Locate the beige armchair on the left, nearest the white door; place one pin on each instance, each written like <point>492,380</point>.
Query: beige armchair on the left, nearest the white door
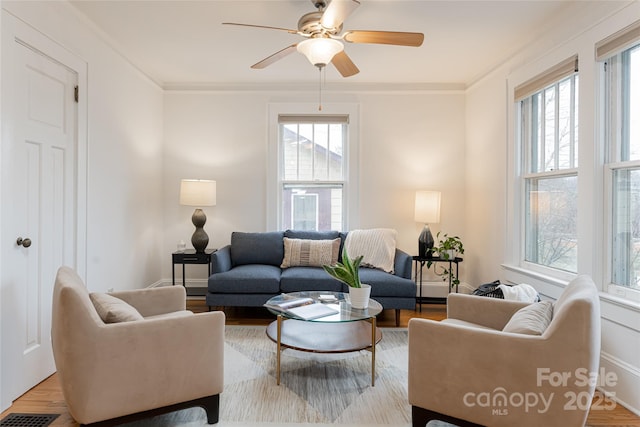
<point>117,372</point>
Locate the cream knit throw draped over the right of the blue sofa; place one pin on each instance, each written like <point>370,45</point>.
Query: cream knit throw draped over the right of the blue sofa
<point>377,246</point>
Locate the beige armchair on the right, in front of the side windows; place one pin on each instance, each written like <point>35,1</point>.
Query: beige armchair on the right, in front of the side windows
<point>468,371</point>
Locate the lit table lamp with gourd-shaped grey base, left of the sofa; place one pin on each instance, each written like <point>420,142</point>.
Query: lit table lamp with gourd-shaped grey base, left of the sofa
<point>198,193</point>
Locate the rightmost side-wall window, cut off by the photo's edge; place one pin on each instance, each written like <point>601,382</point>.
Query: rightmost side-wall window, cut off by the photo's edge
<point>621,57</point>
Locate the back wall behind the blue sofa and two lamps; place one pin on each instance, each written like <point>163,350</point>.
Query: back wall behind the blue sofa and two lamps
<point>408,141</point>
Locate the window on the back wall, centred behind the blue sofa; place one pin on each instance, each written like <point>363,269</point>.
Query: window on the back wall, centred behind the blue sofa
<point>312,171</point>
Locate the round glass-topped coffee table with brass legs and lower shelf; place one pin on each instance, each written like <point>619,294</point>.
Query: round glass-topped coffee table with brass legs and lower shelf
<point>347,329</point>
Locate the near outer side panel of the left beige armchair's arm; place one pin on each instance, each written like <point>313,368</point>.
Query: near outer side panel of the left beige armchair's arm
<point>171,359</point>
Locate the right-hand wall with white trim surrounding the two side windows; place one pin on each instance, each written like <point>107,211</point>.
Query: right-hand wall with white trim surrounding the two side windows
<point>490,149</point>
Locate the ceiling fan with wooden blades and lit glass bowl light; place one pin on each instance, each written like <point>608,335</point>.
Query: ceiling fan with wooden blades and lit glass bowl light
<point>323,37</point>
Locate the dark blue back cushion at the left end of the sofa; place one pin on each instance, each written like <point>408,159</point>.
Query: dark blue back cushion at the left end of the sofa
<point>257,248</point>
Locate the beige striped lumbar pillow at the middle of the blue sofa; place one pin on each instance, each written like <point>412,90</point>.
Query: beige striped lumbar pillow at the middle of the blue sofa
<point>310,253</point>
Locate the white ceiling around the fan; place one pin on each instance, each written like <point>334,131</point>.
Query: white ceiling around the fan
<point>180,42</point>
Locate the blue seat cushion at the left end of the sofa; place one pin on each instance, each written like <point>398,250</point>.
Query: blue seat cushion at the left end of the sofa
<point>246,279</point>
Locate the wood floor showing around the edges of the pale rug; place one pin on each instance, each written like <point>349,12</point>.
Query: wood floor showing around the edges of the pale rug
<point>46,397</point>
